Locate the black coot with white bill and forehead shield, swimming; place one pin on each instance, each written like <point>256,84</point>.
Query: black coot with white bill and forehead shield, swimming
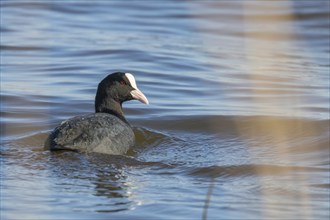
<point>106,130</point>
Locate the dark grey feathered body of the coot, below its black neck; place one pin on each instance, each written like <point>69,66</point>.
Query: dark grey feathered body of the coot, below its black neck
<point>98,132</point>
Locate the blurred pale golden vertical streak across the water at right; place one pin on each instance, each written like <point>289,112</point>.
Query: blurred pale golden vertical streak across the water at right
<point>262,56</point>
